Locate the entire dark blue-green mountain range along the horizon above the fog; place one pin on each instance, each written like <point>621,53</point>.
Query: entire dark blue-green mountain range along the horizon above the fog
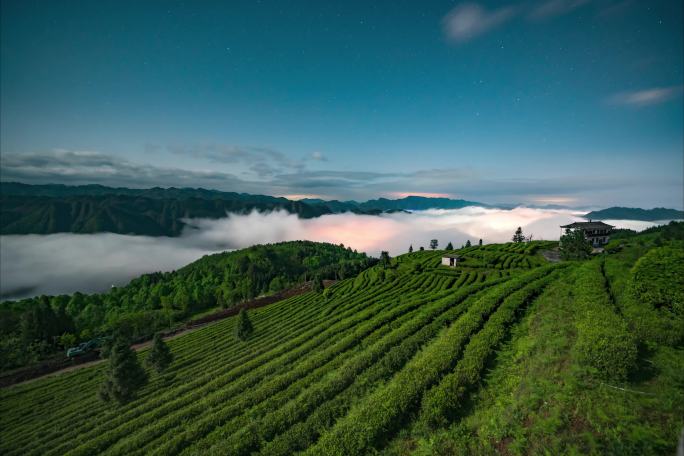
<point>57,208</point>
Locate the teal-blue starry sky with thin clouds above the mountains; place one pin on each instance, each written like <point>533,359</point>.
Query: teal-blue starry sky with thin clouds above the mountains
<point>576,102</point>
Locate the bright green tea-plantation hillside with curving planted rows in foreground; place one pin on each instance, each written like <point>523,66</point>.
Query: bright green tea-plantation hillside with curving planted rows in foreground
<point>501,354</point>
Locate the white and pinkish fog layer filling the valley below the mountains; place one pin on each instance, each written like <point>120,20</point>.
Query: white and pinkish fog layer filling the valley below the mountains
<point>65,263</point>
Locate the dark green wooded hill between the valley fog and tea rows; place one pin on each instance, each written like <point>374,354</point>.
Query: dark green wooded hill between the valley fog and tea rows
<point>31,329</point>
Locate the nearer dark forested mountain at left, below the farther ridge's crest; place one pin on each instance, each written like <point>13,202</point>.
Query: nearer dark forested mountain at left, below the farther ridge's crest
<point>158,215</point>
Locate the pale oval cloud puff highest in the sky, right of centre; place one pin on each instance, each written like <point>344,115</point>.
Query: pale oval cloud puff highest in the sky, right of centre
<point>468,20</point>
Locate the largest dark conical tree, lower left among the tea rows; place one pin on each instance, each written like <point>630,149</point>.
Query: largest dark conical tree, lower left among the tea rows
<point>125,375</point>
